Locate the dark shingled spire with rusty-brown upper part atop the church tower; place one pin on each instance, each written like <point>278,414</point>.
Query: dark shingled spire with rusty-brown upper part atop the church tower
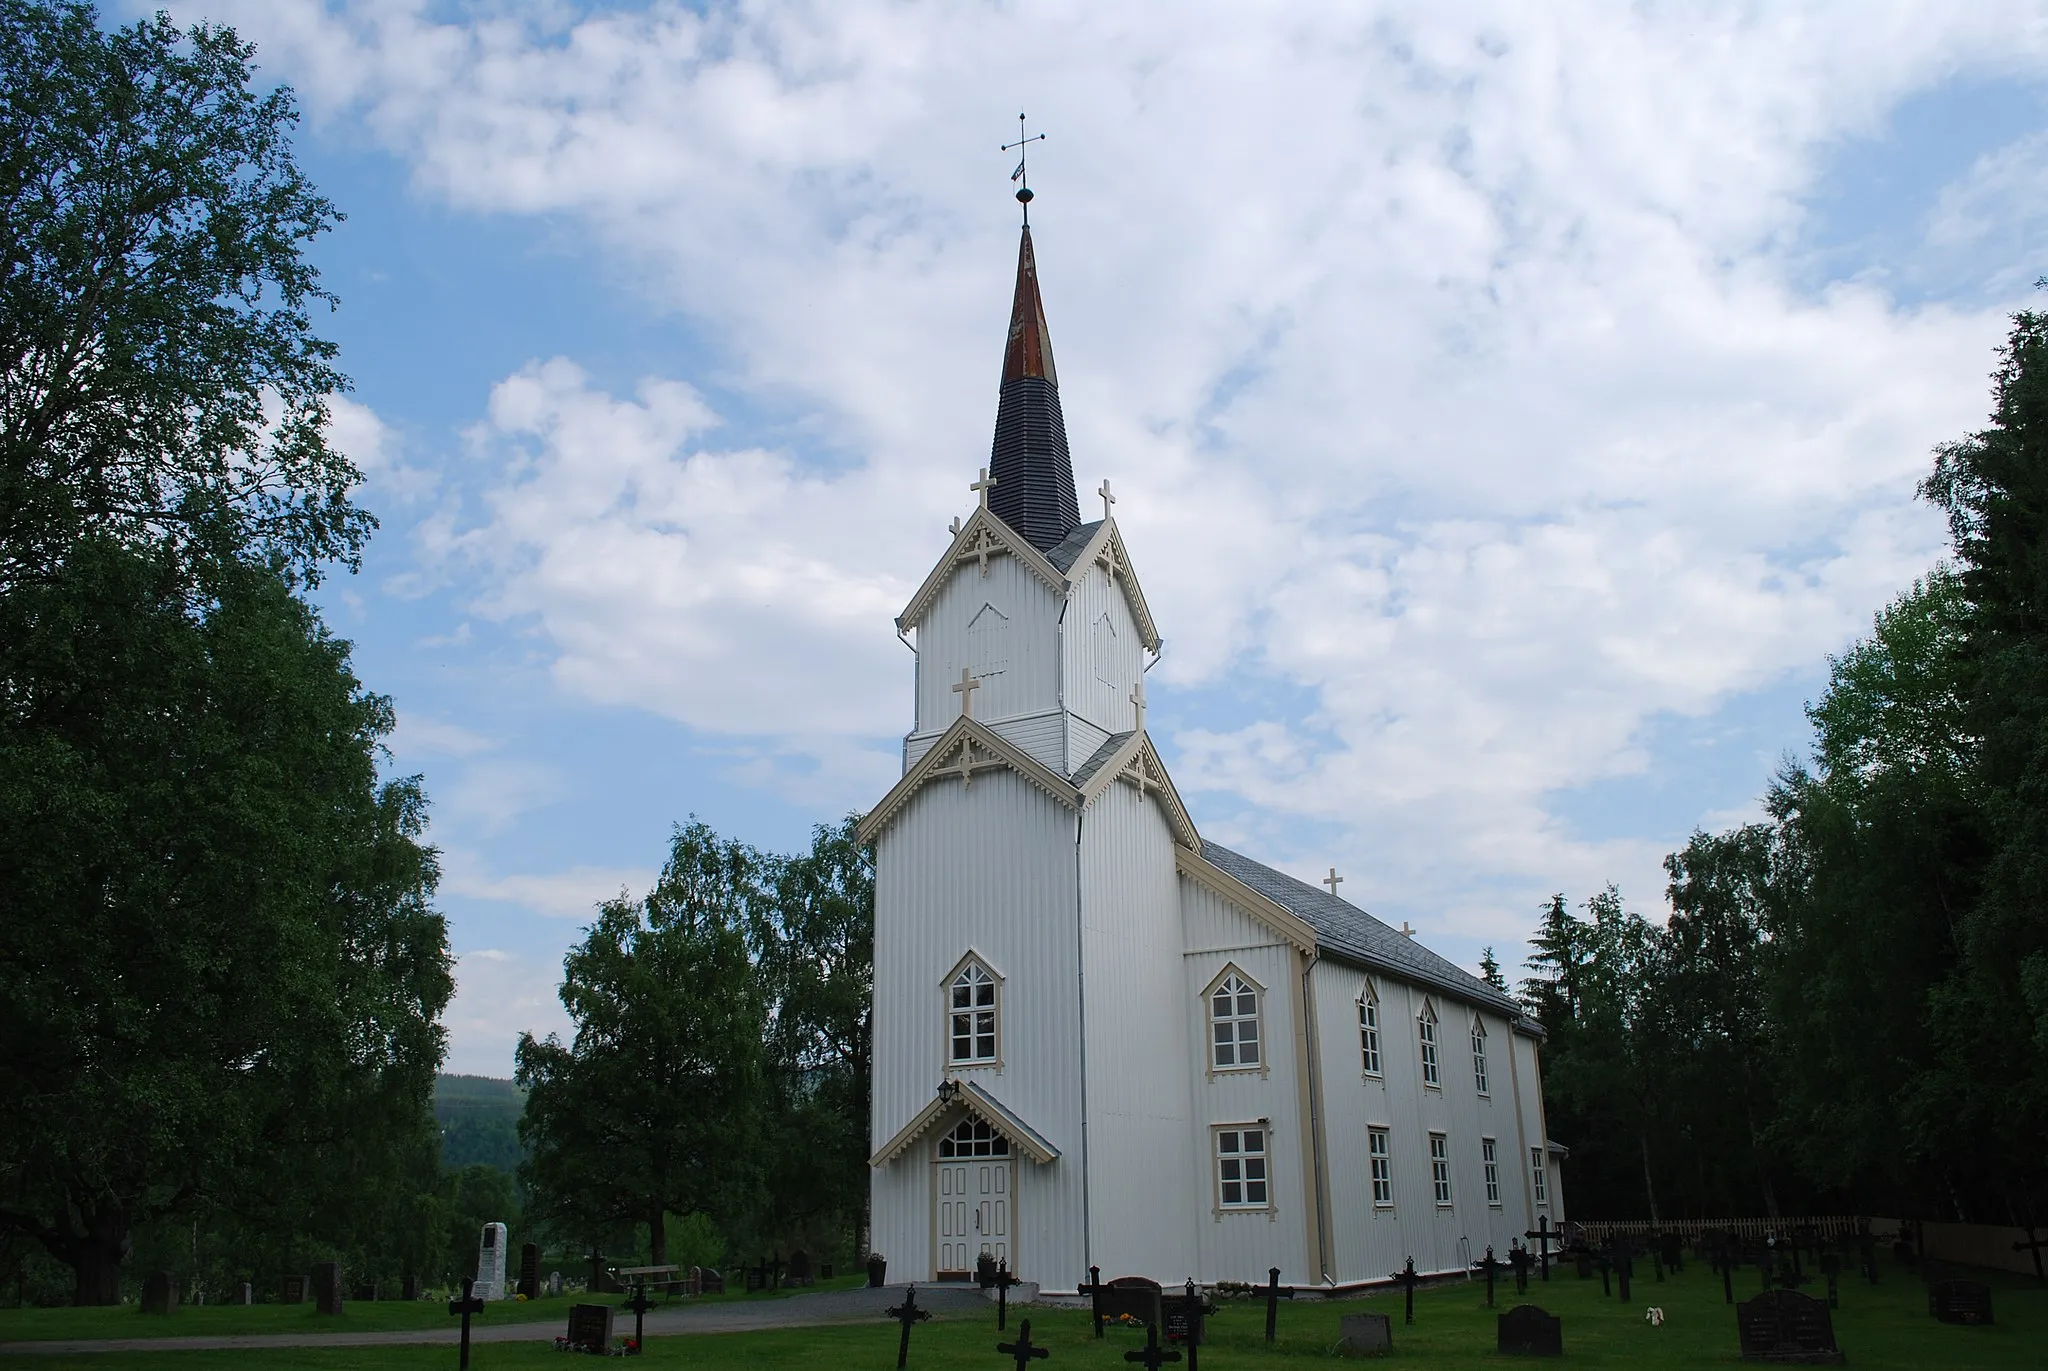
<point>1029,460</point>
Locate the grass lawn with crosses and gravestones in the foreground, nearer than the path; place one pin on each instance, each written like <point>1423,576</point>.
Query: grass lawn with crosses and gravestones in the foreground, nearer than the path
<point>1877,1327</point>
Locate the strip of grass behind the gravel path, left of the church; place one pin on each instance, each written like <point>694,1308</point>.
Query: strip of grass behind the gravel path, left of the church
<point>357,1317</point>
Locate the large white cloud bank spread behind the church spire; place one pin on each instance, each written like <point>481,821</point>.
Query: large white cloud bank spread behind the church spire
<point>1445,360</point>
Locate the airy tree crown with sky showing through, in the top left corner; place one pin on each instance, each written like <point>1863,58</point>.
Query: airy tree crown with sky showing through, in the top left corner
<point>163,382</point>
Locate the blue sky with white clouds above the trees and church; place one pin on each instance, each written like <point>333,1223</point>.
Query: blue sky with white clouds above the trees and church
<point>1510,407</point>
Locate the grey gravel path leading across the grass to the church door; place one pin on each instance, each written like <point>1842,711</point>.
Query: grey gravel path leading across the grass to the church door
<point>855,1306</point>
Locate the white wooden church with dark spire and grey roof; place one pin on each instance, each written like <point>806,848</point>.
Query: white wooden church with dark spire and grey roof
<point>1103,1040</point>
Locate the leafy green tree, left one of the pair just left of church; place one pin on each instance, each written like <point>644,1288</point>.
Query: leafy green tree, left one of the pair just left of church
<point>654,1108</point>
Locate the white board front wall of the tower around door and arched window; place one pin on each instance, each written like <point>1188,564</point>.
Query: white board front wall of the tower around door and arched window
<point>990,870</point>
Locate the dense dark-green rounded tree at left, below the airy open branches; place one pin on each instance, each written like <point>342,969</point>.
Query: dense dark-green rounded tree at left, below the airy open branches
<point>214,915</point>
